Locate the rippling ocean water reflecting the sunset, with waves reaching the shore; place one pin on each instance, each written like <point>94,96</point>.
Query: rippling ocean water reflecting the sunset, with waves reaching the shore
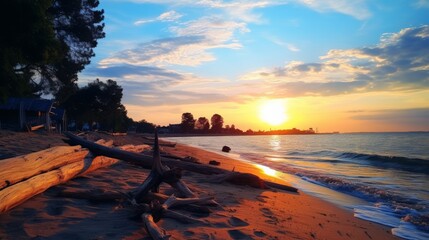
<point>381,177</point>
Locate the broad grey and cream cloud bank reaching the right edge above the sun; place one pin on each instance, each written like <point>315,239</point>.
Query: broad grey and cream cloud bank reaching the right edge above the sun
<point>400,62</point>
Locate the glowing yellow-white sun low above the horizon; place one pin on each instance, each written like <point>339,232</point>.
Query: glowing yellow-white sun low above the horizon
<point>273,112</point>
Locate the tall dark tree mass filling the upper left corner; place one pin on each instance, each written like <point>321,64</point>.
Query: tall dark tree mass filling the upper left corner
<point>44,44</point>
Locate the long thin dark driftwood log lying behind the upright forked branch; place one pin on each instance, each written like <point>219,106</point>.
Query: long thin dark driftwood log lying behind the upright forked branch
<point>147,162</point>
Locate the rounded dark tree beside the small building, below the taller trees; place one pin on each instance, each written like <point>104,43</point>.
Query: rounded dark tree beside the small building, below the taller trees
<point>99,102</point>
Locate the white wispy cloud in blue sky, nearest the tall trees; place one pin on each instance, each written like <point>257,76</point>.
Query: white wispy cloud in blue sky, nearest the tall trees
<point>190,46</point>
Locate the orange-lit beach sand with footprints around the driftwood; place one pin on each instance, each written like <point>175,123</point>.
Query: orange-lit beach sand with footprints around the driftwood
<point>244,212</point>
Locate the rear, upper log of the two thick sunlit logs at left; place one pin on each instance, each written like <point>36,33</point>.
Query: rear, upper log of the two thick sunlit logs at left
<point>19,168</point>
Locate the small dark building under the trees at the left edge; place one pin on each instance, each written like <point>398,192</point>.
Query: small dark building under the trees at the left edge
<point>30,114</point>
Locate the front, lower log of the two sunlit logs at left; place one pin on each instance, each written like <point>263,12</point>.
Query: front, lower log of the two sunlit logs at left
<point>18,193</point>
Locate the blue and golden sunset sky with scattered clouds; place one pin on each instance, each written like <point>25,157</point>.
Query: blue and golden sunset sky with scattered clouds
<point>334,65</point>
